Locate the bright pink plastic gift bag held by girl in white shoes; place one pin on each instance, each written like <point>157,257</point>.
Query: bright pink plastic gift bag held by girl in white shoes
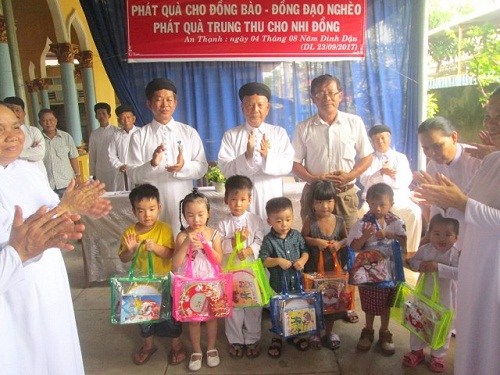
<point>199,299</point>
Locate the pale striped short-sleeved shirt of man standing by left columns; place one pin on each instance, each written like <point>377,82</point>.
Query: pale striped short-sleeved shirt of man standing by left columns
<point>58,152</point>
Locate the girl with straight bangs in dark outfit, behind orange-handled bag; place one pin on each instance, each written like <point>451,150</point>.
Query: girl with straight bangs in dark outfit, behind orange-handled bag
<point>324,231</point>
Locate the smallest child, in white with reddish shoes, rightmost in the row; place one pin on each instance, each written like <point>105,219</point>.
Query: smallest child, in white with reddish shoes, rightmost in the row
<point>441,256</point>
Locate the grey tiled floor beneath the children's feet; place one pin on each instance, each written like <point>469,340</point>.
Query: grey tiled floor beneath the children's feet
<point>106,348</point>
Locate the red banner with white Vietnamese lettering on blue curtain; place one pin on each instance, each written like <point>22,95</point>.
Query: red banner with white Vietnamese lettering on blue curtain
<point>276,30</point>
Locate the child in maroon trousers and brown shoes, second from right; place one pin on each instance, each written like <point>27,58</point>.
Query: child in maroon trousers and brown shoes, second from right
<point>377,230</point>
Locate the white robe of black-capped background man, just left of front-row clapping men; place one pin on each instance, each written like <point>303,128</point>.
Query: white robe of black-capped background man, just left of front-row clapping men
<point>118,154</point>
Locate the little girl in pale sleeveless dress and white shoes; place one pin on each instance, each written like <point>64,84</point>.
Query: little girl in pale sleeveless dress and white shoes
<point>195,208</point>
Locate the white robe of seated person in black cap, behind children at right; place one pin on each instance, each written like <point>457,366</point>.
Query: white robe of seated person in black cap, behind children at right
<point>400,184</point>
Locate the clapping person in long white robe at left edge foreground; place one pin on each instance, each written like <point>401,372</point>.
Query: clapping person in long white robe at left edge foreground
<point>37,322</point>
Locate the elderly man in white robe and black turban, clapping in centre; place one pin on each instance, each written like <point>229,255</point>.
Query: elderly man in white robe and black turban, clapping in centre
<point>257,149</point>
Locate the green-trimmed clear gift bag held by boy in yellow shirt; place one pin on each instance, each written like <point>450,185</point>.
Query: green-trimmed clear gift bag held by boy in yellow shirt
<point>140,299</point>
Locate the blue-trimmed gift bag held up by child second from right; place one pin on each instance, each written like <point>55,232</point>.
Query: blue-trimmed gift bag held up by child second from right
<point>369,267</point>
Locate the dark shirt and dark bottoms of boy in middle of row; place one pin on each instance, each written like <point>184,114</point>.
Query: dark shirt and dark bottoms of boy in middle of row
<point>292,247</point>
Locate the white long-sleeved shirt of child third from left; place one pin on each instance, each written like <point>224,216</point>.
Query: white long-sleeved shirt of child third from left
<point>256,232</point>
